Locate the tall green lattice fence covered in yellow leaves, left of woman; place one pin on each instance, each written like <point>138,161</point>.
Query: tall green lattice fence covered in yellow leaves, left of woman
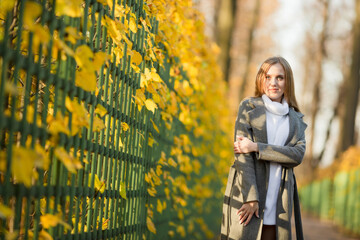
<point>82,144</point>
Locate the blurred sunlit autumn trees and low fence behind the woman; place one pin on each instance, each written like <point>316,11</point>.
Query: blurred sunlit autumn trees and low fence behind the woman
<point>321,40</point>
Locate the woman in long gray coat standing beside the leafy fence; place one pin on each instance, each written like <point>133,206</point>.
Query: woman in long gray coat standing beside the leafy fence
<point>269,143</point>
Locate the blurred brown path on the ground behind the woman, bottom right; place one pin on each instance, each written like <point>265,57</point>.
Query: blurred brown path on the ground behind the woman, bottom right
<point>315,229</point>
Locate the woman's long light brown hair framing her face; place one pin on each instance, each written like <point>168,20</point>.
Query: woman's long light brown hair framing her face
<point>289,92</point>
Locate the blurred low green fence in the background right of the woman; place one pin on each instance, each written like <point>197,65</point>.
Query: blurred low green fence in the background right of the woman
<point>335,199</point>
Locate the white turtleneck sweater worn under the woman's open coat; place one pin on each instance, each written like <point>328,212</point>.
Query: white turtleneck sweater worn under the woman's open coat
<point>277,125</point>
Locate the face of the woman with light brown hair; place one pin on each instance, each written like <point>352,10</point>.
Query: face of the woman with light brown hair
<point>274,82</point>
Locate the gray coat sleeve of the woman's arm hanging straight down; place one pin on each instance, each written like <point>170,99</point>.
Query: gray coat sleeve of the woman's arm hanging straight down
<point>244,163</point>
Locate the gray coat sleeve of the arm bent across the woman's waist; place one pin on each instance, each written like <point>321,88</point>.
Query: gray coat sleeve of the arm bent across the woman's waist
<point>287,156</point>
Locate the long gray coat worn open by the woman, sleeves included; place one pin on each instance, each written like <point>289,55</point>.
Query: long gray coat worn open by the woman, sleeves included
<point>248,177</point>
